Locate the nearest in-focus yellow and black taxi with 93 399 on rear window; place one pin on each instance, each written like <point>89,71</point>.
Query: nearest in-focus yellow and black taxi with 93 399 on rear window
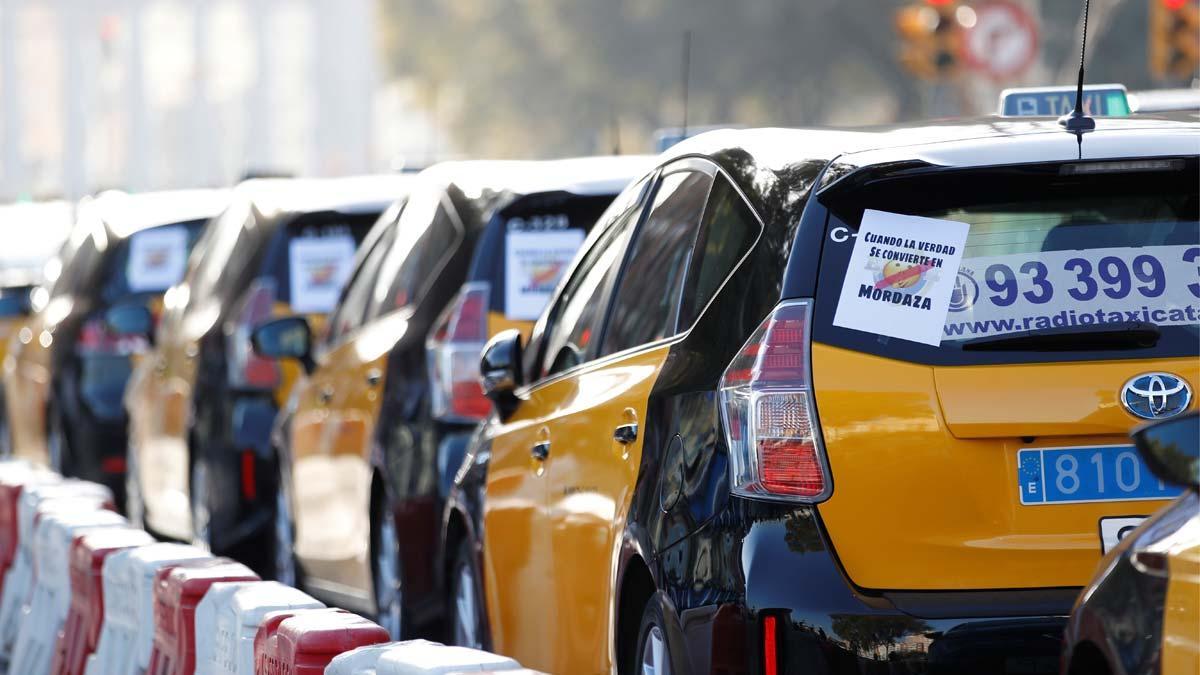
<point>823,402</point>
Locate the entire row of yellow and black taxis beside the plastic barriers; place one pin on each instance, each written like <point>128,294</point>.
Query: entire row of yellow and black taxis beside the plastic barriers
<point>775,402</point>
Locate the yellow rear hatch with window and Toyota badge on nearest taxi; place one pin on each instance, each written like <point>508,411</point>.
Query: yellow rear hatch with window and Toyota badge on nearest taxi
<point>993,458</point>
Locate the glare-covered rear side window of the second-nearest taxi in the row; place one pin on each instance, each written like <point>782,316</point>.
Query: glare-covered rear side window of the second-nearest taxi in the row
<point>429,234</point>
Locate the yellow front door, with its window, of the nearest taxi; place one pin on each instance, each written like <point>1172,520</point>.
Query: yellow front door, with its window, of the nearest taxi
<point>524,575</point>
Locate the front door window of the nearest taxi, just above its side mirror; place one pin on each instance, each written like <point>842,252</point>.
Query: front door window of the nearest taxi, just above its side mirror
<point>579,310</point>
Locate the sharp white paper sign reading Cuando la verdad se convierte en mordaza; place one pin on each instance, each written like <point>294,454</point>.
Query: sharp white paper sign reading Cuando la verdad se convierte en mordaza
<point>902,276</point>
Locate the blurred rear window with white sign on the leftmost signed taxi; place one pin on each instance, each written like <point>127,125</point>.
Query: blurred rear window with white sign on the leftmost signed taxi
<point>151,261</point>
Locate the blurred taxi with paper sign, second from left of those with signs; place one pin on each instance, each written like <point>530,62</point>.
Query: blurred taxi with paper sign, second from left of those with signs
<point>201,404</point>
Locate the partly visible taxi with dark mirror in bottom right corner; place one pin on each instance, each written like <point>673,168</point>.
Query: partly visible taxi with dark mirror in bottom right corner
<point>1142,612</point>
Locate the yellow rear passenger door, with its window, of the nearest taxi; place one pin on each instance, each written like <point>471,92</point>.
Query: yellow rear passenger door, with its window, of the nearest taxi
<point>598,428</point>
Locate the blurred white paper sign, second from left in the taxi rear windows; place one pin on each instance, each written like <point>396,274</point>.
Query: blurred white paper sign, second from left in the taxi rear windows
<point>319,266</point>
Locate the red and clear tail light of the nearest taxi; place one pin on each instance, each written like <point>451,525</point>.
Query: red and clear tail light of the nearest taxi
<point>770,420</point>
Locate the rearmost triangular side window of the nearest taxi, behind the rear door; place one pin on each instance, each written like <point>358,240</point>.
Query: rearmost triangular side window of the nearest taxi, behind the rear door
<point>727,234</point>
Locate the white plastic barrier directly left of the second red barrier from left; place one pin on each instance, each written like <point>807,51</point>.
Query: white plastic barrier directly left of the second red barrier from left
<point>40,626</point>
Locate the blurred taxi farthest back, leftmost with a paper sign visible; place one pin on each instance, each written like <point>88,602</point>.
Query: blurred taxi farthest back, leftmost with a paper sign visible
<point>68,371</point>
